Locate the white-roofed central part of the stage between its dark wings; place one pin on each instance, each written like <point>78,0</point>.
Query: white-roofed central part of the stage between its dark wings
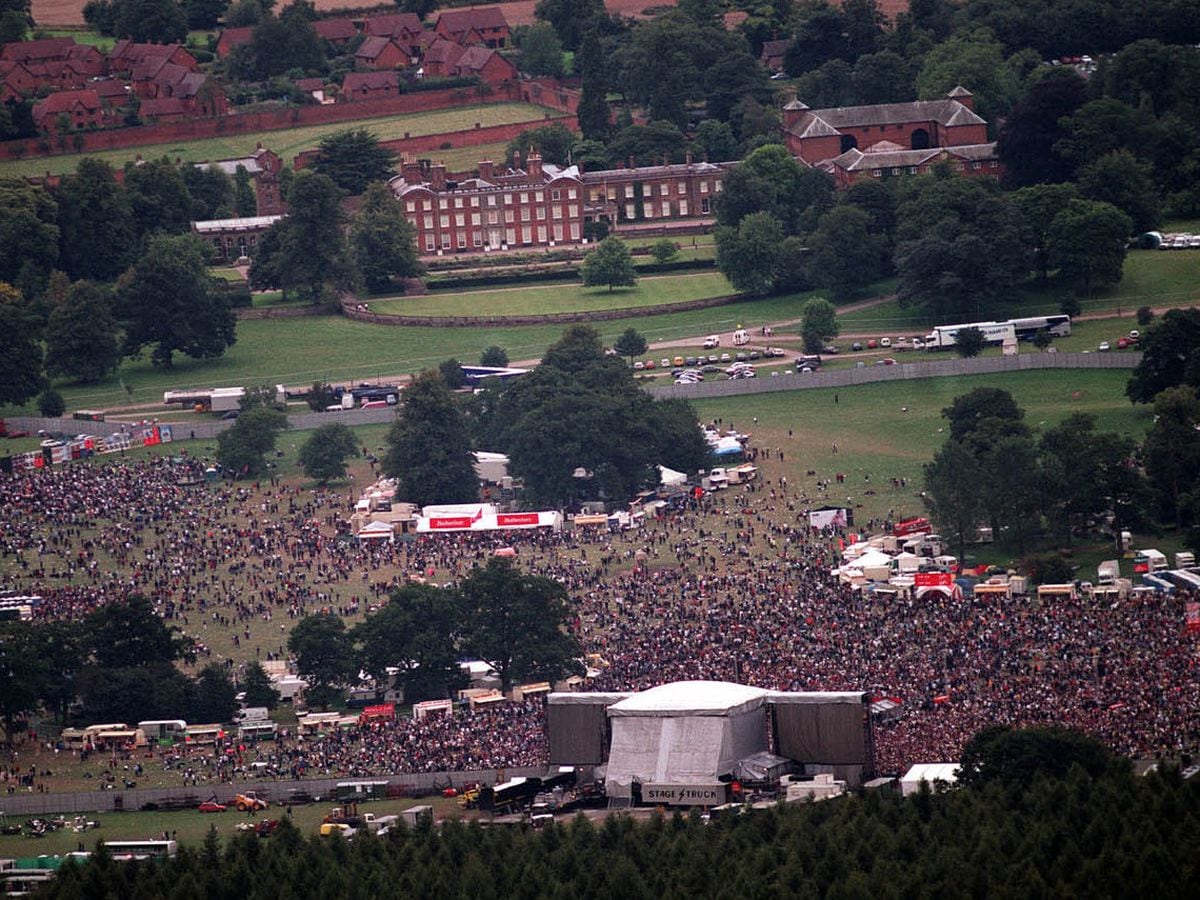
<point>683,734</point>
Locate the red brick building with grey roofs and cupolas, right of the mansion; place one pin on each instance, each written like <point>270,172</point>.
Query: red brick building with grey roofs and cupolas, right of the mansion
<point>891,139</point>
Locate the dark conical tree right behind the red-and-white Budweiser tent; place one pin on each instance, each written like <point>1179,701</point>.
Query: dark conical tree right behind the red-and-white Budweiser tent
<point>429,447</point>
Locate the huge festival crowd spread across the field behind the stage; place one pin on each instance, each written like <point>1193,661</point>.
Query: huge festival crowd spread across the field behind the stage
<point>729,587</point>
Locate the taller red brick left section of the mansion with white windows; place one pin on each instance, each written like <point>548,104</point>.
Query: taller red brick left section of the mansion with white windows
<point>533,207</point>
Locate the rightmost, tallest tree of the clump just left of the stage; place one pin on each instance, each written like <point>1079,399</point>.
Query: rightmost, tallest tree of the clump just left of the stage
<point>518,623</point>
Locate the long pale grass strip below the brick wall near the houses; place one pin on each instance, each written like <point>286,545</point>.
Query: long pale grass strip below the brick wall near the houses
<point>289,142</point>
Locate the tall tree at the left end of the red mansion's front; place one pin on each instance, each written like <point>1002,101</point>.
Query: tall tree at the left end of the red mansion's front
<point>383,242</point>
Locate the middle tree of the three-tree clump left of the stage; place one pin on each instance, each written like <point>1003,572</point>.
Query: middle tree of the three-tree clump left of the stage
<point>418,633</point>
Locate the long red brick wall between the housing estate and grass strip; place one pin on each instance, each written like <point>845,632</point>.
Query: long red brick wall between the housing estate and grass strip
<point>271,121</point>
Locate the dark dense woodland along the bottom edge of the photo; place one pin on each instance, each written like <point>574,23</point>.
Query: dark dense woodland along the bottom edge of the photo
<point>1045,814</point>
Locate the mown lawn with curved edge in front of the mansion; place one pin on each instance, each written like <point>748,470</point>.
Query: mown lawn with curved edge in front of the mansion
<point>650,291</point>
